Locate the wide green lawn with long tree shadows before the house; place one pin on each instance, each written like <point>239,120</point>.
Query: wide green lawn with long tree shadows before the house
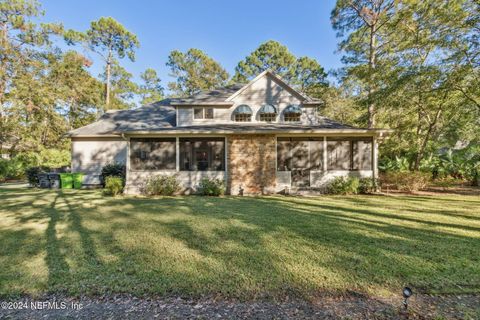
<point>80,242</point>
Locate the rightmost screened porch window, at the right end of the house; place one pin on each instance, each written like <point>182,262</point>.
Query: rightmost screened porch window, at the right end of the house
<point>349,154</point>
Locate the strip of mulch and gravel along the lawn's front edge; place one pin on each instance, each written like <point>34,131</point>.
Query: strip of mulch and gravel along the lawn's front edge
<point>351,307</point>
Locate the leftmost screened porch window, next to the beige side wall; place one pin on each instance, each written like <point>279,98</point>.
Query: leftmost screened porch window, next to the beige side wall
<point>153,154</point>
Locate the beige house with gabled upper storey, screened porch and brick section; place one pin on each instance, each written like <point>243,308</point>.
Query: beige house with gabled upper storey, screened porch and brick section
<point>259,138</point>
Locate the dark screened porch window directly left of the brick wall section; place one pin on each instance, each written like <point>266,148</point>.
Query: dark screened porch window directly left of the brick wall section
<point>202,154</point>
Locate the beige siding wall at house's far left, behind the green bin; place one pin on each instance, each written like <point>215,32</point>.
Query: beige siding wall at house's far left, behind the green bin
<point>90,155</point>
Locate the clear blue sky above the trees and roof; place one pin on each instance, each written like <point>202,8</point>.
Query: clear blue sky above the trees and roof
<point>227,30</point>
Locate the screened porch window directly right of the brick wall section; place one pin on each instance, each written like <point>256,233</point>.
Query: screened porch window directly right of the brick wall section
<point>299,153</point>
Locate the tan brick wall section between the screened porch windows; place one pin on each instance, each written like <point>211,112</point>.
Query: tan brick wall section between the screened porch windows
<point>251,164</point>
